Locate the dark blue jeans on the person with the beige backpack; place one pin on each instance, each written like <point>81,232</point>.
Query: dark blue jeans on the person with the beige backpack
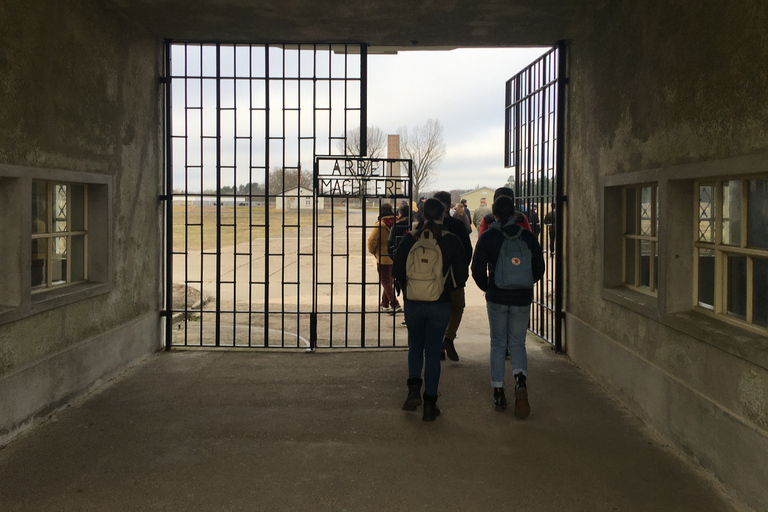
<point>426,323</point>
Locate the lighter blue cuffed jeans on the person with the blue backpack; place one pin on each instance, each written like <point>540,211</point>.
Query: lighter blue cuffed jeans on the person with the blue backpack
<point>509,325</point>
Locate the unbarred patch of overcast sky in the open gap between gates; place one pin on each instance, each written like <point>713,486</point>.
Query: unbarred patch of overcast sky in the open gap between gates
<point>464,90</point>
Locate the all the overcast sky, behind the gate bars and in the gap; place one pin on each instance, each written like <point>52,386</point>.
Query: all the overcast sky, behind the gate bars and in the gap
<point>462,89</point>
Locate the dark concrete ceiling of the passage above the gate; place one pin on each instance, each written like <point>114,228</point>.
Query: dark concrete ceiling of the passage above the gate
<point>391,24</point>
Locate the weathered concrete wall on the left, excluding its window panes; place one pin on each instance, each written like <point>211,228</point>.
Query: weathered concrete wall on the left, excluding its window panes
<point>79,96</point>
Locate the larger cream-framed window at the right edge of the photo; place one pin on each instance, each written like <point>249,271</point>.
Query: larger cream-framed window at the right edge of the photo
<point>731,249</point>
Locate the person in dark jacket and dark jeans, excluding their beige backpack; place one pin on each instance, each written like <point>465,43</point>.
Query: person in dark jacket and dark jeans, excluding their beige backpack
<point>427,320</point>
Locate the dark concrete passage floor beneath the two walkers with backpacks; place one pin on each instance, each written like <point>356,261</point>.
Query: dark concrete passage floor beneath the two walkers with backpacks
<point>202,430</point>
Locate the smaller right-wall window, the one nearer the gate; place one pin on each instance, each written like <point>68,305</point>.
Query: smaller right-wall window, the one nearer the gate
<point>640,243</point>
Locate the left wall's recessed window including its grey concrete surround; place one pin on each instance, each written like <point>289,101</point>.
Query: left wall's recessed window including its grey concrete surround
<point>56,243</point>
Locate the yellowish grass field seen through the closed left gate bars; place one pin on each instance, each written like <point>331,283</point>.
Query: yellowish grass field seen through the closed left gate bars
<point>195,227</point>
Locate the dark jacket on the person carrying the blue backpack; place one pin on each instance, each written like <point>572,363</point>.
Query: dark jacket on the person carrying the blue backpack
<point>484,260</point>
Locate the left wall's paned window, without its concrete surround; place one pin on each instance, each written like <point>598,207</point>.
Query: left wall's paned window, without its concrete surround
<point>59,234</point>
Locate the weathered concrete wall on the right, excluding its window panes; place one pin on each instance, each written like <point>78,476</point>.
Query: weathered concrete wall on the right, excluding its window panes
<point>667,92</point>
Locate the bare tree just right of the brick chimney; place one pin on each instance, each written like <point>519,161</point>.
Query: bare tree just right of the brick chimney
<point>426,147</point>
